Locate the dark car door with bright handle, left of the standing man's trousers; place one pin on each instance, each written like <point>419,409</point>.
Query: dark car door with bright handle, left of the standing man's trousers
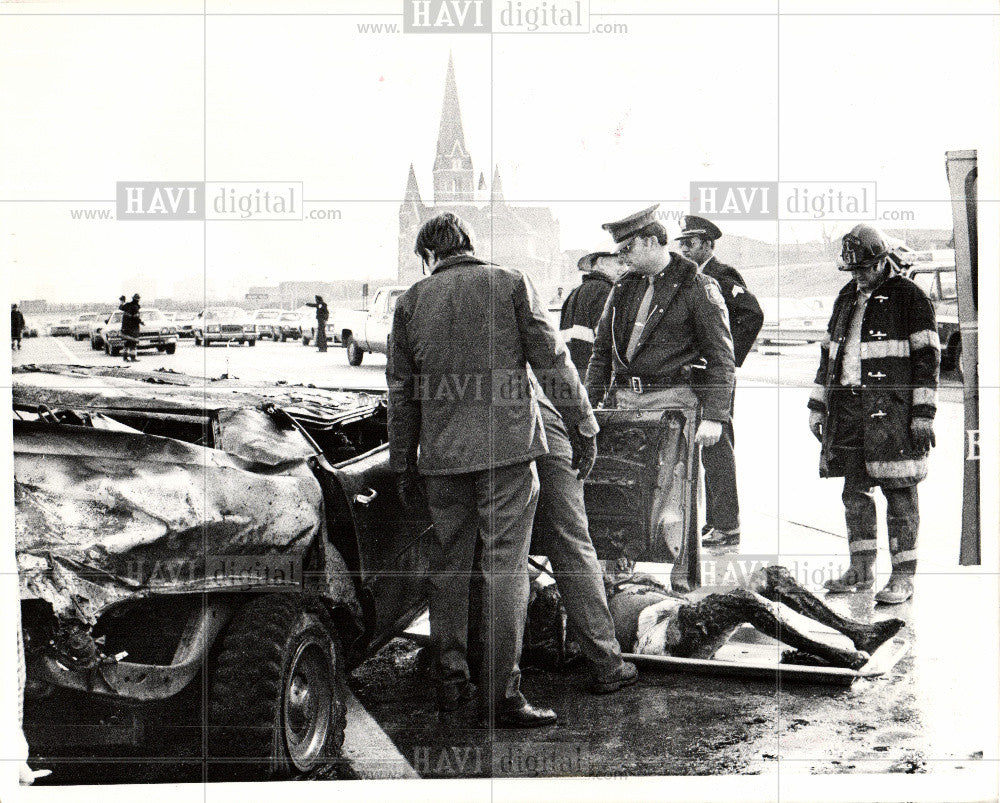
<point>391,543</point>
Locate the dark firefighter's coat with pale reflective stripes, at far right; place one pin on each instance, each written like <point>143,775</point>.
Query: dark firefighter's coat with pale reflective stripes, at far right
<point>900,359</point>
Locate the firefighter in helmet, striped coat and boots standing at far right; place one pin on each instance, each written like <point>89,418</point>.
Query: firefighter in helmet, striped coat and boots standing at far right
<point>873,406</point>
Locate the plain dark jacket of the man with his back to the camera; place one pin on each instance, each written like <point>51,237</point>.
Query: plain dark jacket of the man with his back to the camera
<point>461,341</point>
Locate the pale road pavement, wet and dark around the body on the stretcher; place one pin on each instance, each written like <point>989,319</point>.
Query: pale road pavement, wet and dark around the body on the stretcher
<point>934,713</point>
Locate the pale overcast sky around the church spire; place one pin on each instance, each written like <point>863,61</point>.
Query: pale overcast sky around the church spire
<point>593,125</point>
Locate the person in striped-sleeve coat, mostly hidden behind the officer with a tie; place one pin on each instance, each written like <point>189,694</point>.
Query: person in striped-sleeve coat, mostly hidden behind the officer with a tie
<point>583,306</point>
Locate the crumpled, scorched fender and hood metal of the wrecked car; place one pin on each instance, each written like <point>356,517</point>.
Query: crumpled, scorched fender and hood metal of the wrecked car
<point>105,512</point>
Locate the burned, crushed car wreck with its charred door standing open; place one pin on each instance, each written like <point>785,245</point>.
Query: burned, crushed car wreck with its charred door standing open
<point>158,515</point>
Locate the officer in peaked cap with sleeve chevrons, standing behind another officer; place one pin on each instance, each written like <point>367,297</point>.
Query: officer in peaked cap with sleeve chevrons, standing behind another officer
<point>722,506</point>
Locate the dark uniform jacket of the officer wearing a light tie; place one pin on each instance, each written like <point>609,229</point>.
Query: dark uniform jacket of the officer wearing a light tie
<point>688,324</point>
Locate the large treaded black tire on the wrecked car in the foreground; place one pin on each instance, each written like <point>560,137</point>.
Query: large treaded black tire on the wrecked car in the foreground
<point>277,695</point>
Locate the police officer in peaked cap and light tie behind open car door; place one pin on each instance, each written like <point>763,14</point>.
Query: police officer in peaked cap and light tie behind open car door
<point>663,340</point>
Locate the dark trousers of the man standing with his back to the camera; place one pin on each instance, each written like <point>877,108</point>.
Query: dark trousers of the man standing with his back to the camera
<point>496,506</point>
